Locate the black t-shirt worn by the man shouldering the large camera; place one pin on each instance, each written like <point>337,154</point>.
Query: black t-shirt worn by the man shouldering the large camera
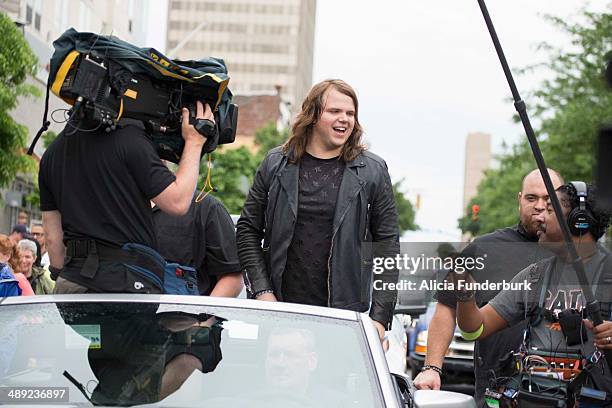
<point>101,183</point>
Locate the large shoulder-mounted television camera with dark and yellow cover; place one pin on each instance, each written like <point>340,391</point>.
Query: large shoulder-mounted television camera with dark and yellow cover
<point>106,80</point>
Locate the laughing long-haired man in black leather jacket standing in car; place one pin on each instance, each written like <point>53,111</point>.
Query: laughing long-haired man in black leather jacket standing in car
<point>323,206</point>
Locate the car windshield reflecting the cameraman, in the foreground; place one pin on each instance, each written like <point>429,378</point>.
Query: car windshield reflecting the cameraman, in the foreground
<point>128,353</point>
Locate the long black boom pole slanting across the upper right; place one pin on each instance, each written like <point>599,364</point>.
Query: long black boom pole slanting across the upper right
<point>592,305</point>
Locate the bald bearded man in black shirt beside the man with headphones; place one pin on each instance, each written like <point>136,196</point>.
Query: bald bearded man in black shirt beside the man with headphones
<point>508,251</point>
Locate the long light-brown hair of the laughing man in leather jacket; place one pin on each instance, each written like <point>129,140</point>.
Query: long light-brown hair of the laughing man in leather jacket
<point>312,108</point>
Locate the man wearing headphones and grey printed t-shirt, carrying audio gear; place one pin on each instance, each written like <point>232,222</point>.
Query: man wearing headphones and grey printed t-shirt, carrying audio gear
<point>554,291</point>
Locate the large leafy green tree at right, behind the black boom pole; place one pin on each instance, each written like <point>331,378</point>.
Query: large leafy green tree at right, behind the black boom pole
<point>570,107</point>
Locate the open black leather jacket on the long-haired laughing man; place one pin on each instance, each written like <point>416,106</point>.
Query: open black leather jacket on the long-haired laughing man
<point>365,225</point>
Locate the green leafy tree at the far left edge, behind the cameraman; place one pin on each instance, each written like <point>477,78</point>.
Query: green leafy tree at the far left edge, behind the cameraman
<point>16,62</point>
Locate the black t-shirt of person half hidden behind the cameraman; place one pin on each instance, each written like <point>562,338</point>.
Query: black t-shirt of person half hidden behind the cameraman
<point>203,238</point>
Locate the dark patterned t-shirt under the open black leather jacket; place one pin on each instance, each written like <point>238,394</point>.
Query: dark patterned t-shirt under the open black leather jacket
<point>306,271</point>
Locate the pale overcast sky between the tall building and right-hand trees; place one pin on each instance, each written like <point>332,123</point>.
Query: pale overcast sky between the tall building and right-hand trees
<point>426,74</point>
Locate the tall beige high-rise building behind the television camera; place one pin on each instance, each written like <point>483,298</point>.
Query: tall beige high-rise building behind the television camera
<point>266,44</point>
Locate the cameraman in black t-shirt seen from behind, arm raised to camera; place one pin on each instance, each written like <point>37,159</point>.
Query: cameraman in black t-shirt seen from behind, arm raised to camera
<point>95,190</point>
